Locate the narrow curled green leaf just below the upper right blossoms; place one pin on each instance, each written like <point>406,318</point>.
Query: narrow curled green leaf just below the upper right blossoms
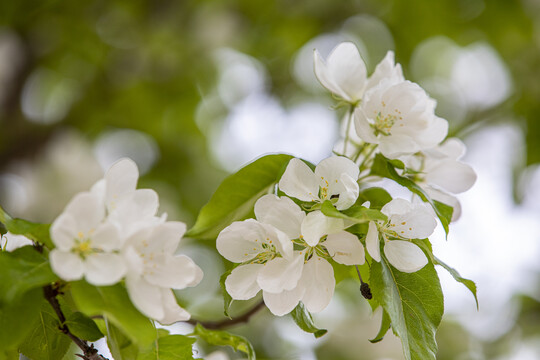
<point>383,167</point>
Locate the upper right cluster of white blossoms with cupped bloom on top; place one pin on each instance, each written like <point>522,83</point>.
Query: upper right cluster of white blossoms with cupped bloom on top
<point>397,118</point>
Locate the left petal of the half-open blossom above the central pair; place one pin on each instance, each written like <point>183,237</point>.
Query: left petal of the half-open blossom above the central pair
<point>299,181</point>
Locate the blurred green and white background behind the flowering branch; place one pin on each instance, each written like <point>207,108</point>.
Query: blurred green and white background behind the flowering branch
<point>191,90</point>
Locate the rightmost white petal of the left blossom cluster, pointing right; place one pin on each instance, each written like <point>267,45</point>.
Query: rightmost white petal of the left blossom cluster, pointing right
<point>175,272</point>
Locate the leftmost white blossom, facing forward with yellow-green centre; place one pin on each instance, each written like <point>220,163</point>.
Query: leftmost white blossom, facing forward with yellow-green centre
<point>86,245</point>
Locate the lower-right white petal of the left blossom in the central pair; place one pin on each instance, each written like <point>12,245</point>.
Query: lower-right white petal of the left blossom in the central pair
<point>281,274</point>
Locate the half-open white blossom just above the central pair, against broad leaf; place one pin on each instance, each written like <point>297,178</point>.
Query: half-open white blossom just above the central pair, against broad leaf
<point>333,177</point>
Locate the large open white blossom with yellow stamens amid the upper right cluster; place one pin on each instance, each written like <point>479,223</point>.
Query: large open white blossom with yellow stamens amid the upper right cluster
<point>400,118</point>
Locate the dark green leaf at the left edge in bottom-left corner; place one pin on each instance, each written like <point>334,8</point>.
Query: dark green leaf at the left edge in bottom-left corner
<point>17,319</point>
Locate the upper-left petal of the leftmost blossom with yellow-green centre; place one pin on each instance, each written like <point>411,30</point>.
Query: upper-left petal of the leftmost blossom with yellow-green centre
<point>87,211</point>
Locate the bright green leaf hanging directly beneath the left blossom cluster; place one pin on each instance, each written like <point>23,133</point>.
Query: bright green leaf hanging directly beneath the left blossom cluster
<point>114,303</point>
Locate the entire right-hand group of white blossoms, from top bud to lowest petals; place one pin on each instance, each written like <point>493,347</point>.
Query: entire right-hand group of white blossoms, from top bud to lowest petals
<point>288,249</point>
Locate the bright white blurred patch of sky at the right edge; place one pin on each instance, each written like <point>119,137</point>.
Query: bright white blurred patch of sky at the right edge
<point>495,243</point>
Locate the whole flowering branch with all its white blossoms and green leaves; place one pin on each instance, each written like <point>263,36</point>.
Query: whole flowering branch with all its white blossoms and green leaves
<point>285,228</point>
